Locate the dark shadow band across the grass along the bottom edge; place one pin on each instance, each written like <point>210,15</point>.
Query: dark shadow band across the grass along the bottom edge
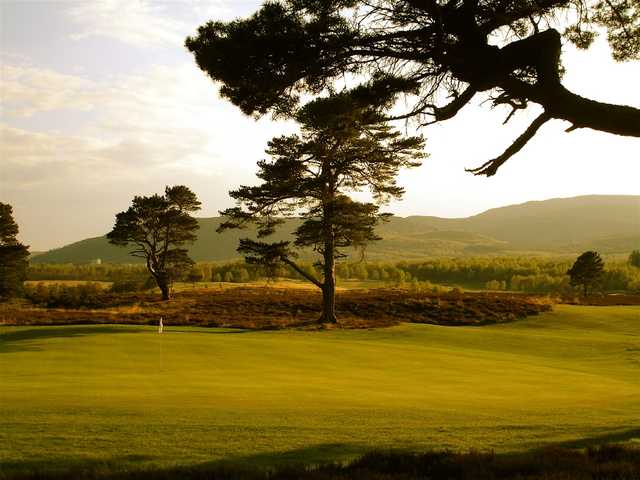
<point>354,462</point>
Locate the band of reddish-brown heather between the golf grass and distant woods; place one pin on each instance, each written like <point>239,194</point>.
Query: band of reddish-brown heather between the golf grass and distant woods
<point>271,307</point>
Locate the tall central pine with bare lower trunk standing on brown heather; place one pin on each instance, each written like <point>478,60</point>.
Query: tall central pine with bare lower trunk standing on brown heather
<point>344,146</point>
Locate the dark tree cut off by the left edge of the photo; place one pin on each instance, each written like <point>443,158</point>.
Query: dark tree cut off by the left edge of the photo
<point>13,255</point>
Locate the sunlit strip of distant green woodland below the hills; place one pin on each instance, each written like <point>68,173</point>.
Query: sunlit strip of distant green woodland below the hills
<point>523,274</point>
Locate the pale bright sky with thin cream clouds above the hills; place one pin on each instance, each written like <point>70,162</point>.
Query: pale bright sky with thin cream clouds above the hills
<point>100,101</point>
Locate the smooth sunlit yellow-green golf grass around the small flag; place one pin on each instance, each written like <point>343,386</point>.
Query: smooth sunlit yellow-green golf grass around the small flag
<point>127,395</point>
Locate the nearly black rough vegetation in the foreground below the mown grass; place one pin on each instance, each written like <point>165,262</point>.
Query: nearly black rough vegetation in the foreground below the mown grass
<point>608,462</point>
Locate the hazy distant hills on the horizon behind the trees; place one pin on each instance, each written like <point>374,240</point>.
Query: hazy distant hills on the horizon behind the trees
<point>610,224</point>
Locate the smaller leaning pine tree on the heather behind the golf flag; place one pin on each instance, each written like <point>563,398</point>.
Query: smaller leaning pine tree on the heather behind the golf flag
<point>158,226</point>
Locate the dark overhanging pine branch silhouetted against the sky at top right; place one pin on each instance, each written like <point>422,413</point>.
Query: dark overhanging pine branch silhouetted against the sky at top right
<point>444,51</point>
